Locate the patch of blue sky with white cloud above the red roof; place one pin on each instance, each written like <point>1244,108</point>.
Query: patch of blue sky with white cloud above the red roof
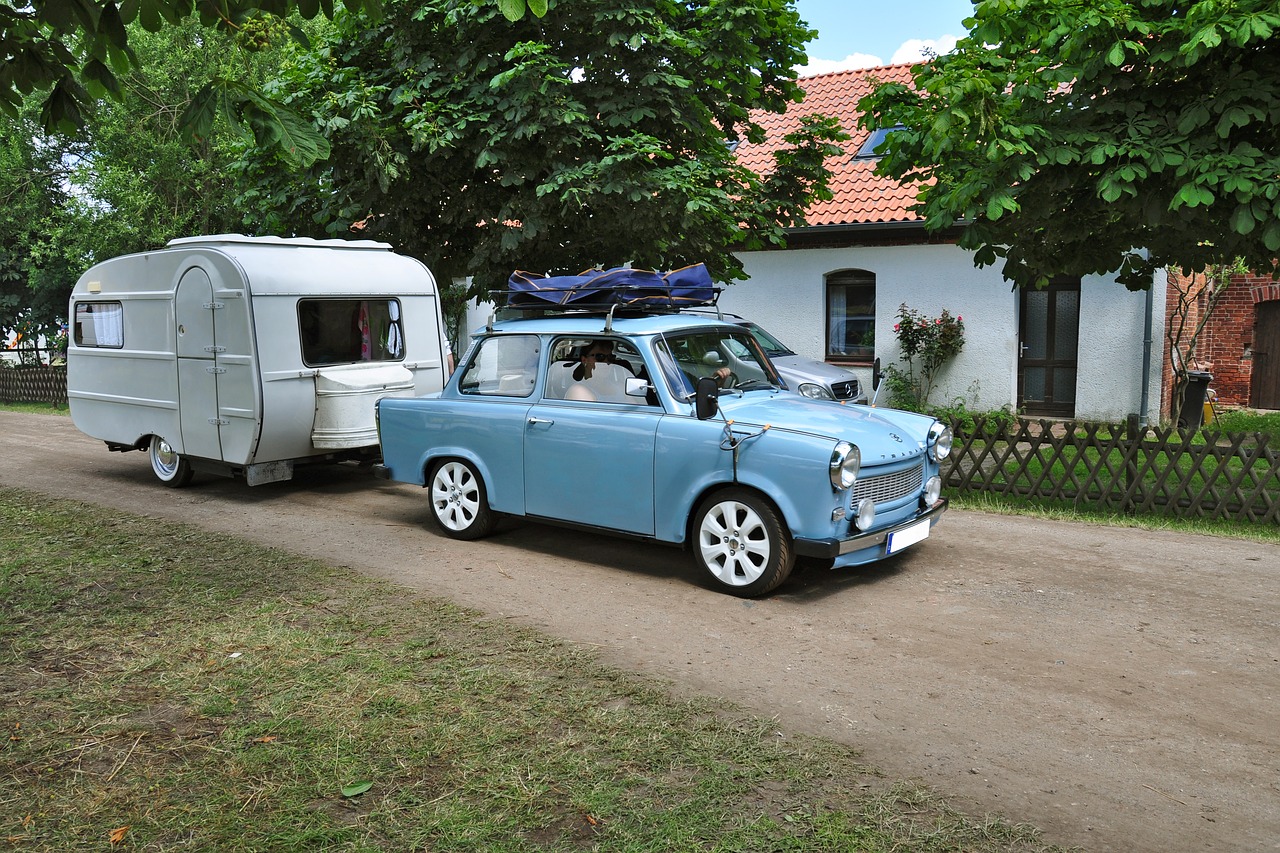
<point>865,34</point>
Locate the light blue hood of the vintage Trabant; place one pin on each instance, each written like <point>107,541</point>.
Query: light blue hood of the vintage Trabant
<point>881,435</point>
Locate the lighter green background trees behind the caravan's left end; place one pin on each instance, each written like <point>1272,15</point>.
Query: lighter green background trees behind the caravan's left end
<point>126,183</point>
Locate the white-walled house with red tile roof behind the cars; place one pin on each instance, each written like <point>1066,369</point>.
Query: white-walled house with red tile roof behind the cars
<point>1085,349</point>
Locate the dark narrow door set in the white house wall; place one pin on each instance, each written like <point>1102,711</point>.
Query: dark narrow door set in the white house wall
<point>1049,339</point>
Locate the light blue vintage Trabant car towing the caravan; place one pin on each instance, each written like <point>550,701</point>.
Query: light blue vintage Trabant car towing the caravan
<point>669,427</point>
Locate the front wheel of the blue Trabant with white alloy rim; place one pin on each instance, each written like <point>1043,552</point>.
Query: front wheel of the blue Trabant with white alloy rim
<point>742,544</point>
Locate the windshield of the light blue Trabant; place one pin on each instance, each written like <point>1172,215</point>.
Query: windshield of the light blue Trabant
<point>734,359</point>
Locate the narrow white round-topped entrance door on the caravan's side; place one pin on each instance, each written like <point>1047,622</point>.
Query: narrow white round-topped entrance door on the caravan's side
<point>217,394</point>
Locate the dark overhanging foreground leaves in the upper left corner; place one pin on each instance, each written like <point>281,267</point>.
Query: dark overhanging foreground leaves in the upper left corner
<point>74,52</point>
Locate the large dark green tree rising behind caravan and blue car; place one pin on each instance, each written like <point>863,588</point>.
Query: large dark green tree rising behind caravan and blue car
<point>597,135</point>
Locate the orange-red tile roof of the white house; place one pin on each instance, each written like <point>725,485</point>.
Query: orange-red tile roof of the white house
<point>860,197</point>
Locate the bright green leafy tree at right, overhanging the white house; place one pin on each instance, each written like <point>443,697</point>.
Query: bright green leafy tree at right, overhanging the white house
<point>1121,136</point>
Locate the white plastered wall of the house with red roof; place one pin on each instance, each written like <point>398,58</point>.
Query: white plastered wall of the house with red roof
<point>787,295</point>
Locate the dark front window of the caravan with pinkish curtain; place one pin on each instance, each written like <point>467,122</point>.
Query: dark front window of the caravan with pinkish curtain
<point>351,330</point>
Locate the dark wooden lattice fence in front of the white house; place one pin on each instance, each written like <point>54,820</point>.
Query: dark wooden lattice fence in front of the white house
<point>1123,468</point>
